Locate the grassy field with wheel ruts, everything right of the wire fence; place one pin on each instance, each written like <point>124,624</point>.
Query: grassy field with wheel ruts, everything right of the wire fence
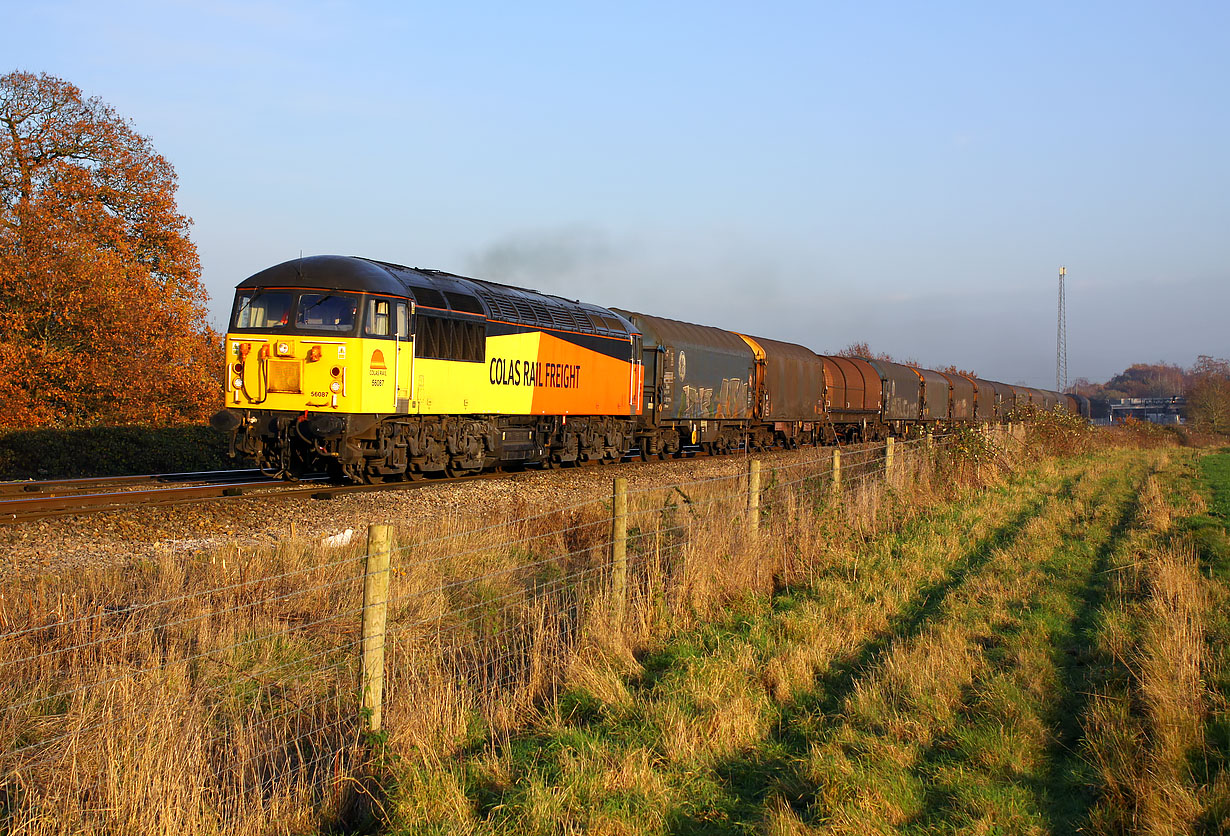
<point>1044,656</point>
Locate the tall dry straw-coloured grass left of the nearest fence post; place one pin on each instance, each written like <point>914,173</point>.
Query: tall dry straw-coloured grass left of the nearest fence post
<point>183,698</point>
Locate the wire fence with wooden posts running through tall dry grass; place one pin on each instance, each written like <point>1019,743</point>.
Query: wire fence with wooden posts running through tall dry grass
<point>254,695</point>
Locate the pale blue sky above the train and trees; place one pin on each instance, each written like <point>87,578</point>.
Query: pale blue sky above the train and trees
<point>908,175</point>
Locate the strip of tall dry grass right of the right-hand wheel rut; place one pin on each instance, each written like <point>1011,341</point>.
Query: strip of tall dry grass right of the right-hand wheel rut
<point>1148,722</point>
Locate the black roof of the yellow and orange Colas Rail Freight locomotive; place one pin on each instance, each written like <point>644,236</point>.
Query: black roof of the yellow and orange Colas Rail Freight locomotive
<point>443,291</point>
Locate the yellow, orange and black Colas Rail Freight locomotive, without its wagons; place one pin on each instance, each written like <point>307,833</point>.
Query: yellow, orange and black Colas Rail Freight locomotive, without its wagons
<point>375,372</point>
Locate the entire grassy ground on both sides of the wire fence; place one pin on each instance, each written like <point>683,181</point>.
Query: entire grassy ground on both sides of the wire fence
<point>997,636</point>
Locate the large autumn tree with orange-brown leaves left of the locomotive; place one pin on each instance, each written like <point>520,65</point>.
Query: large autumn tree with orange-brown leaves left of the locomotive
<point>103,312</point>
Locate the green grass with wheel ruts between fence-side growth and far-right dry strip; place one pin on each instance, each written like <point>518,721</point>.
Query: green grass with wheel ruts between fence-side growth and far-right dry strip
<point>938,685</point>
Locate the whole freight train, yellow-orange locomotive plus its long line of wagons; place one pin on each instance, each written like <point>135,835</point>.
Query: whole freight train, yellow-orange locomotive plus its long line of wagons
<point>375,372</point>
